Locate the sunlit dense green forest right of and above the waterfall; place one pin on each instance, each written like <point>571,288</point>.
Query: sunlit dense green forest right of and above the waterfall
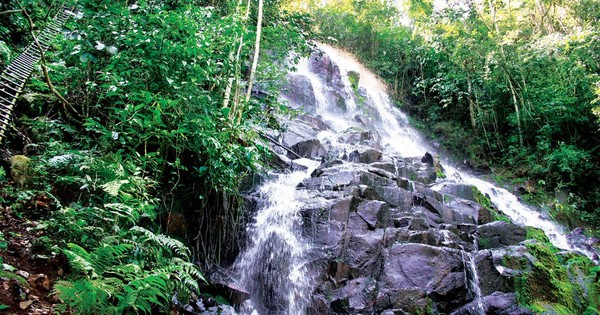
<point>510,84</point>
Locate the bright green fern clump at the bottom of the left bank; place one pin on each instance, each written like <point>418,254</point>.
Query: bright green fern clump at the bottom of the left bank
<point>128,273</point>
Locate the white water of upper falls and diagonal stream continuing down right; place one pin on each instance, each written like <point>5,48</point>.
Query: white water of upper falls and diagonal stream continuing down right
<point>399,138</point>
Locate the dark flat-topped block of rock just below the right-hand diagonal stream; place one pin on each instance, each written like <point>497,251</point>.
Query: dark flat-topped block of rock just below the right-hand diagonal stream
<point>499,233</point>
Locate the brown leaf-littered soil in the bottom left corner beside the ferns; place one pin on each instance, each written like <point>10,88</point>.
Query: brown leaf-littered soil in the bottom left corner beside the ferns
<point>28,271</point>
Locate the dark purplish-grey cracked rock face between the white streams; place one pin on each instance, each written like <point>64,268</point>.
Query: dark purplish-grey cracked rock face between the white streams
<point>382,240</point>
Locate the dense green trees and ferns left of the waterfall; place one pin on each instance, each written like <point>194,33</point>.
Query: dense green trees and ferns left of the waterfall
<point>155,134</point>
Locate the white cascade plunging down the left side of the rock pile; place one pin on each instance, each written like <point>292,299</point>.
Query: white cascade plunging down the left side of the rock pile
<point>273,268</point>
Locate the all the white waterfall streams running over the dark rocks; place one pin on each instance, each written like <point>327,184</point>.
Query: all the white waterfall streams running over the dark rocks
<point>273,267</point>
